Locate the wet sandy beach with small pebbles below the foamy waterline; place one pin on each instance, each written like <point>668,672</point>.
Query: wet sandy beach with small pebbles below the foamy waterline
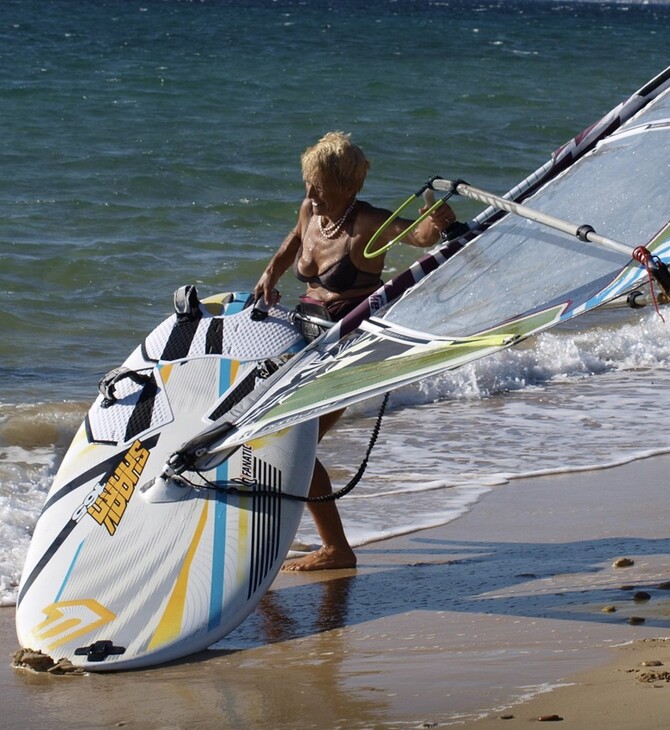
<point>514,612</point>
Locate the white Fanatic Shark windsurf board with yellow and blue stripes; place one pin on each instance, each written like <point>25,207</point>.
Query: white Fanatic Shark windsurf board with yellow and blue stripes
<point>126,570</point>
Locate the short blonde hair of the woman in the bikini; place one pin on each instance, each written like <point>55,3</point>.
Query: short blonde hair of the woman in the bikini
<point>336,162</point>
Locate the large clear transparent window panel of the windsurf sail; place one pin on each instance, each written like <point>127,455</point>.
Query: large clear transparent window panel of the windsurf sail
<point>517,265</point>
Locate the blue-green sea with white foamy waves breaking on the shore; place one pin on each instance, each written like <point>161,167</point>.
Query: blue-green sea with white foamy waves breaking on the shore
<point>148,144</point>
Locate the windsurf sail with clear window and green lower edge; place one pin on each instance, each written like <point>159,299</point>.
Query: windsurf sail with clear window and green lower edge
<point>513,278</point>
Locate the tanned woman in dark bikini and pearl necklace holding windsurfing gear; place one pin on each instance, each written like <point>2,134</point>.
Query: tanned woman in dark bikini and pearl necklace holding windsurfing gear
<point>325,250</point>
